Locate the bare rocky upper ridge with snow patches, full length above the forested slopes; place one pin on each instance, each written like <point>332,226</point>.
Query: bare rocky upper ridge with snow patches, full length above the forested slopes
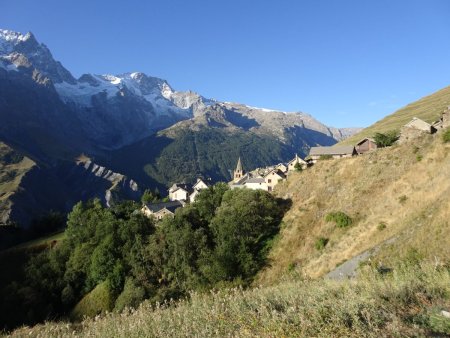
<point>116,110</point>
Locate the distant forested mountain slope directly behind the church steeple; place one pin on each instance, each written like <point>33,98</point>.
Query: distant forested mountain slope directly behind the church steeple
<point>159,161</point>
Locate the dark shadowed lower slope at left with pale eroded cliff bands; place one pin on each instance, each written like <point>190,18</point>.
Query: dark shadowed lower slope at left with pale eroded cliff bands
<point>41,189</point>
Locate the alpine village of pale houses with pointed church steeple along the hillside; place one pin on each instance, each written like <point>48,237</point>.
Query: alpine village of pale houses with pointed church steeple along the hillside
<point>267,178</point>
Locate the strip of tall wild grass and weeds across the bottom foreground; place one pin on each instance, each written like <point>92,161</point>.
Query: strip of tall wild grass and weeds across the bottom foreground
<point>405,303</point>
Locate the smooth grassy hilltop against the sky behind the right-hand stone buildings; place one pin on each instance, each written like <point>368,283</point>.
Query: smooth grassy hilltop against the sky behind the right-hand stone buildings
<point>428,109</point>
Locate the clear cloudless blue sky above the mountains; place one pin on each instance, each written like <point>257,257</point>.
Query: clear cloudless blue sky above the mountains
<point>347,62</point>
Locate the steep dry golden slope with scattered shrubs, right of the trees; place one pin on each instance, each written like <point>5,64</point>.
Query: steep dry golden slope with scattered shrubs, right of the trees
<point>406,188</point>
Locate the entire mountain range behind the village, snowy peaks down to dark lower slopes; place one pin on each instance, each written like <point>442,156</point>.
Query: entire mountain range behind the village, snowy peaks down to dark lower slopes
<point>64,139</point>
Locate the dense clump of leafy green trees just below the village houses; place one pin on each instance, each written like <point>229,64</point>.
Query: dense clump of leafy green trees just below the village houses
<point>112,258</point>
